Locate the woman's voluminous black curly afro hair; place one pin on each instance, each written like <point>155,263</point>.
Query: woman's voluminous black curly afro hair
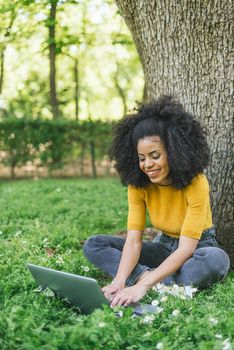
<point>183,138</point>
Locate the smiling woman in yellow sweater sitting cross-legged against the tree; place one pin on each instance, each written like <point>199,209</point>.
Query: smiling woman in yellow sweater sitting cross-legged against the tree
<point>160,153</point>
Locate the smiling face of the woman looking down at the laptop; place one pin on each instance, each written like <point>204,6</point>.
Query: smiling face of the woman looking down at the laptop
<point>153,160</point>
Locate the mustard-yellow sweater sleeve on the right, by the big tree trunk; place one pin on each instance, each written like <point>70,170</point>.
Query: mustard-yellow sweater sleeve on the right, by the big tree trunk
<point>197,197</point>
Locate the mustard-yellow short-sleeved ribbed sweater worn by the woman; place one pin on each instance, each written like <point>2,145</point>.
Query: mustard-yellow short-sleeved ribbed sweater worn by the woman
<point>175,212</point>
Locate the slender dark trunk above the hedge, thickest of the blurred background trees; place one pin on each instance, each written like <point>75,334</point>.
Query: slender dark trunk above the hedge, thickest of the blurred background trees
<point>52,58</point>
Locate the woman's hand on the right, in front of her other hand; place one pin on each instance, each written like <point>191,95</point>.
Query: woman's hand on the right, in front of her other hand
<point>129,295</point>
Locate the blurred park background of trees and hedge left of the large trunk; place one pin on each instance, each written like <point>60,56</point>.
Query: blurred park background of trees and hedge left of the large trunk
<point>69,70</point>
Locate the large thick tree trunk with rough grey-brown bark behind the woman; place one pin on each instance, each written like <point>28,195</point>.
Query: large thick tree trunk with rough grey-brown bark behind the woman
<point>185,49</point>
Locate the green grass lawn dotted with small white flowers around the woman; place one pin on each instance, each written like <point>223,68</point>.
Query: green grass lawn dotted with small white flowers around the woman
<point>45,222</point>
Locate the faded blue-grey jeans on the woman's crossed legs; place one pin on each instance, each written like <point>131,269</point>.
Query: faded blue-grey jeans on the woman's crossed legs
<point>209,264</point>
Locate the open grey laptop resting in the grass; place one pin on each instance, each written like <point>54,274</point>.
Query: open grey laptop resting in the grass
<point>82,292</point>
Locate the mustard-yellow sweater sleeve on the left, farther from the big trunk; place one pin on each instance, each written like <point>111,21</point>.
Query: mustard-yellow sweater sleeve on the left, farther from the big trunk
<point>136,209</point>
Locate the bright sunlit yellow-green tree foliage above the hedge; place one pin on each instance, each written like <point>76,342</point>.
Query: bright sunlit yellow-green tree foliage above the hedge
<point>103,47</point>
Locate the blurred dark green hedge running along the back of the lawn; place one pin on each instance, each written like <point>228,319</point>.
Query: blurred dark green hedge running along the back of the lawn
<point>51,141</point>
